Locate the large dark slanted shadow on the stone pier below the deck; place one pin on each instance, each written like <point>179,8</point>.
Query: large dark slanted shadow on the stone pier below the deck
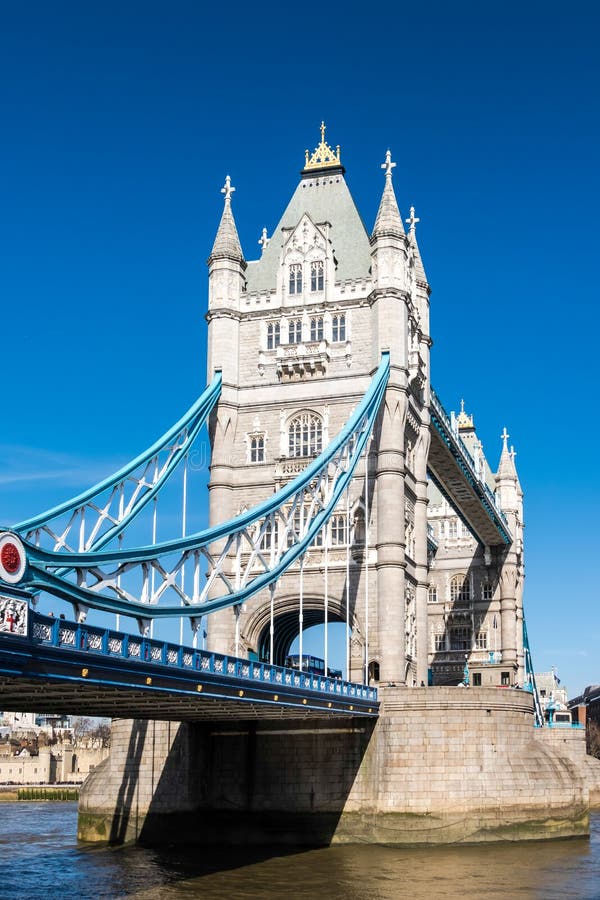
<point>268,783</point>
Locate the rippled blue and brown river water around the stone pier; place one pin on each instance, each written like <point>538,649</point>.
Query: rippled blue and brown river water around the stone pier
<point>40,858</point>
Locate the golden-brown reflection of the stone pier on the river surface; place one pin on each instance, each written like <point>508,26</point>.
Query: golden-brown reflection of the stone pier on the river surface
<point>561,869</point>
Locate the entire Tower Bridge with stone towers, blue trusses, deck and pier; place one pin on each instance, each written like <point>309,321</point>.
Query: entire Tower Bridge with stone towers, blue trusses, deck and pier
<point>340,491</point>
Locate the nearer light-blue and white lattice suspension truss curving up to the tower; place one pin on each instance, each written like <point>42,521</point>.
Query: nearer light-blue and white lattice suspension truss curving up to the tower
<point>222,566</point>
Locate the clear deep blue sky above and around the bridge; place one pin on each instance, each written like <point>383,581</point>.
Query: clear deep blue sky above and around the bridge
<point>119,124</point>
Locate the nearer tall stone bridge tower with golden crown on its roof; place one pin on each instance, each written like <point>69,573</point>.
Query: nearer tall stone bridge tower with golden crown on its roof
<point>298,335</point>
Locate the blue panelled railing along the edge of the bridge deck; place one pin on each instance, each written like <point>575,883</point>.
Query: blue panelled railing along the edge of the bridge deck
<point>108,643</point>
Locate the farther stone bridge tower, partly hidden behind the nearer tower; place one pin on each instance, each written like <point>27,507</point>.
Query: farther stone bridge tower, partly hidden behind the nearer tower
<point>469,623</point>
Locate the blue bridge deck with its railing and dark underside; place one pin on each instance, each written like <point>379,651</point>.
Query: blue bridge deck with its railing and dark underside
<point>63,667</point>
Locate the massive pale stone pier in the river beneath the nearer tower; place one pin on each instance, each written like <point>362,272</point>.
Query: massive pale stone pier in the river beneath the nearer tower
<point>440,765</point>
